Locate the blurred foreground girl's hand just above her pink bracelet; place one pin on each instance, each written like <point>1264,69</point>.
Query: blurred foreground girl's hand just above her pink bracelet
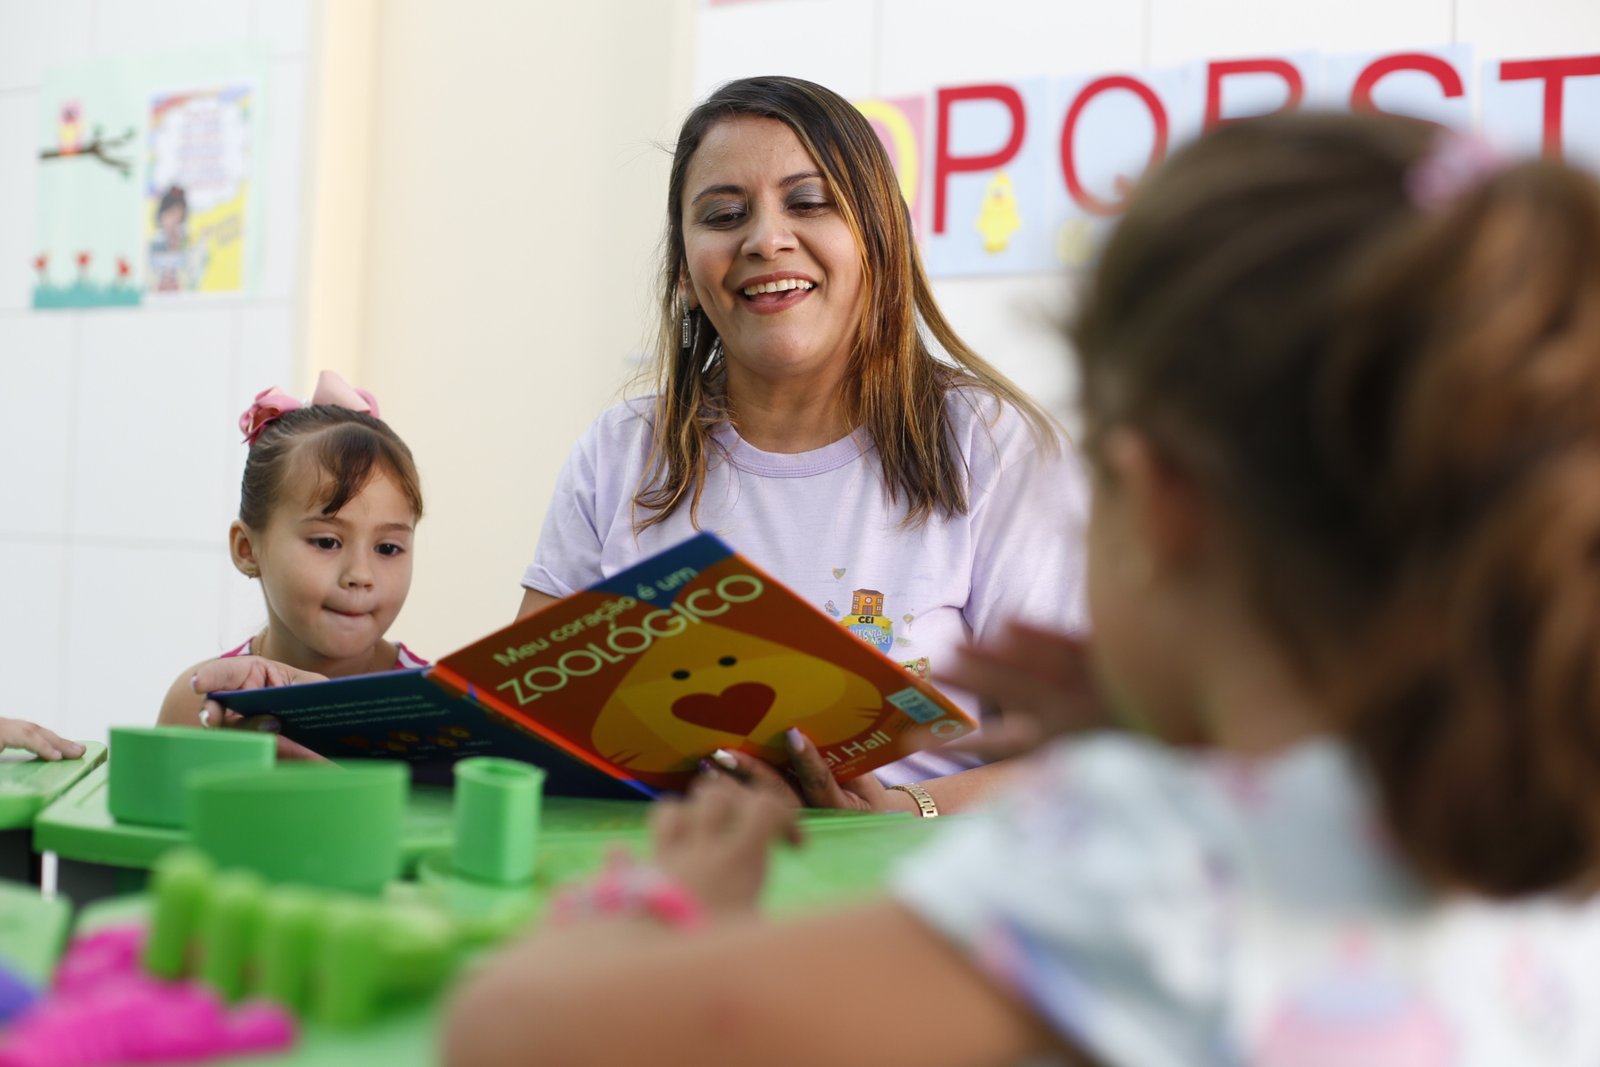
<point>714,842</point>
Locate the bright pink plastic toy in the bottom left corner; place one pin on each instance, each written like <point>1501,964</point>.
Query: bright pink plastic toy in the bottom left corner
<point>105,1010</point>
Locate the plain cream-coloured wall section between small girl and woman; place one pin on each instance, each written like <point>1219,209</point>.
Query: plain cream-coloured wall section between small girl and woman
<point>514,185</point>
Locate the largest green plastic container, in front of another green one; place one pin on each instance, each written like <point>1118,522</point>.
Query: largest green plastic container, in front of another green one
<point>313,825</point>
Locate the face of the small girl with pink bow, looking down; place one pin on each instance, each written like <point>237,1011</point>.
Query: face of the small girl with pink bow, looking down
<point>334,583</point>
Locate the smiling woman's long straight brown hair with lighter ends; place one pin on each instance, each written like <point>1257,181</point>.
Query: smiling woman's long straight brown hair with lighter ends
<point>897,386</point>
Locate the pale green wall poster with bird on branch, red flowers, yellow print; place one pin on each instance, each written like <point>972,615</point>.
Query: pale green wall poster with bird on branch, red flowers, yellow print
<point>148,178</point>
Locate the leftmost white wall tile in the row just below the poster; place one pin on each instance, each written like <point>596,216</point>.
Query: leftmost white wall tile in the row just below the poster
<point>38,361</point>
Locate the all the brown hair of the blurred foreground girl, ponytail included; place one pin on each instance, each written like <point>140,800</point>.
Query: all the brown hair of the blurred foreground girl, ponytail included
<point>1398,406</point>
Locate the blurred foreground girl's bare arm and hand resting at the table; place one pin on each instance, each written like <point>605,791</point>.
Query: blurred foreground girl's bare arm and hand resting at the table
<point>868,986</point>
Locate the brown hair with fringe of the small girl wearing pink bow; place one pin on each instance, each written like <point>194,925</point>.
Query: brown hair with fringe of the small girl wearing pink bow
<point>348,447</point>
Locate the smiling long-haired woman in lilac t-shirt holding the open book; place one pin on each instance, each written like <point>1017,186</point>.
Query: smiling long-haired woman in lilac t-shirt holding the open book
<point>814,407</point>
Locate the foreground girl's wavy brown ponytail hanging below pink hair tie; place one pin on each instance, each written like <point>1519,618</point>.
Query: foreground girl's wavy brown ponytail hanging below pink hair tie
<point>1471,377</point>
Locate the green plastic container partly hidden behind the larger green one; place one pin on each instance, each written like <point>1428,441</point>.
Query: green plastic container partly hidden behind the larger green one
<point>151,764</point>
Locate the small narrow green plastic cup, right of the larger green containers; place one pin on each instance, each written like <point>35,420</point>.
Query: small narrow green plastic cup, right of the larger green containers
<point>497,820</point>
